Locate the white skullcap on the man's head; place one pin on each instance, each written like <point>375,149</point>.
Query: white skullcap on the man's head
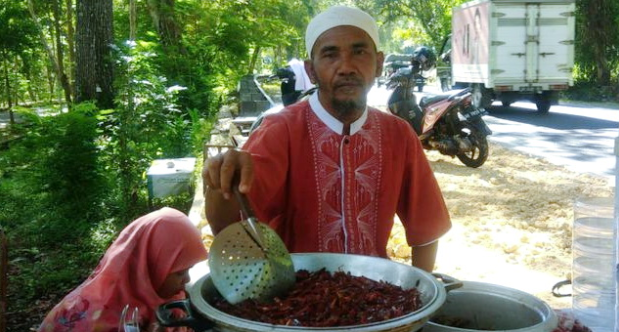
<point>338,16</point>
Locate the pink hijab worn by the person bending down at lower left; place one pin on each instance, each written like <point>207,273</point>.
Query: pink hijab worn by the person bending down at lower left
<point>133,268</point>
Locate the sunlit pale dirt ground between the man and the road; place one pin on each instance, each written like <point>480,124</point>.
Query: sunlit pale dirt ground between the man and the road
<point>512,221</point>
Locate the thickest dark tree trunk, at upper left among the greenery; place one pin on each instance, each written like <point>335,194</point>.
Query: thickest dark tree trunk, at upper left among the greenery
<point>94,66</point>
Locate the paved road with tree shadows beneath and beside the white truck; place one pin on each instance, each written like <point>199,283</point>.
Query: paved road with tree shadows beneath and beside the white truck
<point>579,137</point>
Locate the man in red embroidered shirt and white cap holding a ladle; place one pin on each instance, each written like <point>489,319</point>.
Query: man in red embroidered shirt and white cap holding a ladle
<point>329,174</point>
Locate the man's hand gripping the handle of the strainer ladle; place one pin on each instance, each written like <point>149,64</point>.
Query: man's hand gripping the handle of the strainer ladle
<point>224,170</point>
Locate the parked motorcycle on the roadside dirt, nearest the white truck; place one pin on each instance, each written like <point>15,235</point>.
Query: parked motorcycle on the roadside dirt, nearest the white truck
<point>447,122</point>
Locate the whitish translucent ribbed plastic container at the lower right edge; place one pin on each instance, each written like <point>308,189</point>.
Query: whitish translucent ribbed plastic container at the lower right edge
<point>593,272</point>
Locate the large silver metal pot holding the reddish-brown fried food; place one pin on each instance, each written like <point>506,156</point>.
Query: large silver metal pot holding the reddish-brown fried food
<point>201,316</point>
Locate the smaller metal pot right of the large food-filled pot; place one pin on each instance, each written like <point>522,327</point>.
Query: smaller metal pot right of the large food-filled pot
<point>480,306</point>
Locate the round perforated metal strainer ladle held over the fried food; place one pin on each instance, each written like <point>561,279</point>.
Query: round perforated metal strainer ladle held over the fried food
<point>248,260</point>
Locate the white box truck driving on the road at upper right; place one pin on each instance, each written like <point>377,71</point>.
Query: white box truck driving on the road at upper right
<point>510,50</point>
